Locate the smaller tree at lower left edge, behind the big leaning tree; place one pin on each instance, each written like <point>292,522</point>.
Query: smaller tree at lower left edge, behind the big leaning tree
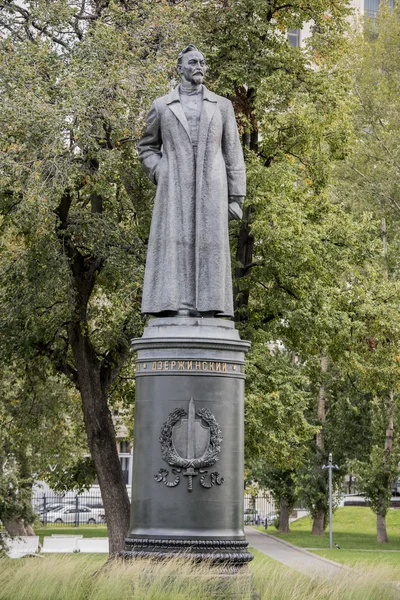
<point>41,427</point>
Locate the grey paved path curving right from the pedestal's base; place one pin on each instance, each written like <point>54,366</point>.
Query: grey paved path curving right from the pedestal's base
<point>292,556</point>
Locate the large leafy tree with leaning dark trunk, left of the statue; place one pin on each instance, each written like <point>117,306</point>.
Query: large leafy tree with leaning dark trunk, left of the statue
<point>75,208</point>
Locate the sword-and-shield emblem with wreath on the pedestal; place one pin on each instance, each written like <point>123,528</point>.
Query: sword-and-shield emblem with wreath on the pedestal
<point>190,444</point>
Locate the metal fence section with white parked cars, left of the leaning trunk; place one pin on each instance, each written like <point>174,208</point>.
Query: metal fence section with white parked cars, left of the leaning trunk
<point>71,509</point>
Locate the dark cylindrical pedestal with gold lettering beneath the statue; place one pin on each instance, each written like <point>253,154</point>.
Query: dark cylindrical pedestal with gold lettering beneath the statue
<point>187,489</point>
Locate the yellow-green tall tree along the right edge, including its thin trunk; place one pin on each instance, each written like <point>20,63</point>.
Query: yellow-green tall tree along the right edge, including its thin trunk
<point>369,180</point>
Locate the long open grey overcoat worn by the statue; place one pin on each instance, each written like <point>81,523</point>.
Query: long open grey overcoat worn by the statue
<point>188,260</point>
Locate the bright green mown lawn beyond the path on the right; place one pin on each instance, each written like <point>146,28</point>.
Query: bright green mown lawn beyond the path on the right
<point>354,527</point>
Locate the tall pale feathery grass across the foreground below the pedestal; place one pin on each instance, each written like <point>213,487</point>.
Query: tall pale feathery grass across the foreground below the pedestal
<point>71,577</point>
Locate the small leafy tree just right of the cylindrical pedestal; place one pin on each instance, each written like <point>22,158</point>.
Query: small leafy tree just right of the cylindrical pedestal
<point>276,427</point>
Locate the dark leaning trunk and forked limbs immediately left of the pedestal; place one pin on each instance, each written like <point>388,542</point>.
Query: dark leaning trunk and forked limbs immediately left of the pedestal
<point>93,377</point>
